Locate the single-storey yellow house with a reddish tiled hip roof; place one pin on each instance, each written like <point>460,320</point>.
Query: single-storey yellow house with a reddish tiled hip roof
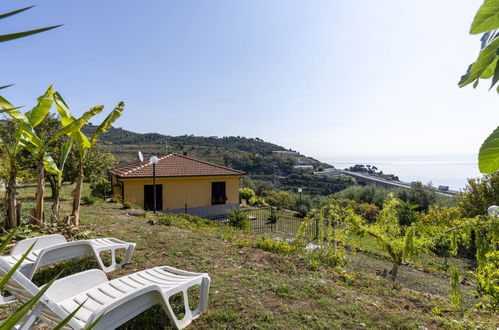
<point>183,185</point>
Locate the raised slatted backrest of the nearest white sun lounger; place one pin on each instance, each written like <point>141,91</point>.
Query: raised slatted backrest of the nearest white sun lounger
<point>23,289</point>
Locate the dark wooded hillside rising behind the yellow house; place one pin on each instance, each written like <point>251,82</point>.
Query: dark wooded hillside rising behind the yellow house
<point>267,165</point>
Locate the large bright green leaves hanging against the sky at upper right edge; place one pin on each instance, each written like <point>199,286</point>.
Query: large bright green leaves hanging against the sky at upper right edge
<point>486,67</point>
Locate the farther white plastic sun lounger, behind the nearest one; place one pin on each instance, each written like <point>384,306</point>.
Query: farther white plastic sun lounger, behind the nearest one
<point>55,248</point>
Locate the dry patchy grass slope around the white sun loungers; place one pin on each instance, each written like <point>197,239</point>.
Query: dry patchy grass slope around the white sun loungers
<point>253,288</point>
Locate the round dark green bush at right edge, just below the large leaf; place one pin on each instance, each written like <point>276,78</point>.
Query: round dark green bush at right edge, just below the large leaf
<point>478,195</point>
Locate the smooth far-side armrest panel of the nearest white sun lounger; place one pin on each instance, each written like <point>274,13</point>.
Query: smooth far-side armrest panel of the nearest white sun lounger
<point>72,285</point>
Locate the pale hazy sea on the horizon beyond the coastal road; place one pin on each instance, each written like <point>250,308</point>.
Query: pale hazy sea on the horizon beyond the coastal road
<point>451,171</point>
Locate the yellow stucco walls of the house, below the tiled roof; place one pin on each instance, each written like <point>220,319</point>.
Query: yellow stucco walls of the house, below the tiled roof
<point>193,191</point>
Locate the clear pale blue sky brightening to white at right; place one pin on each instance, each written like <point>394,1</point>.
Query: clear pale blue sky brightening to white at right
<point>332,79</point>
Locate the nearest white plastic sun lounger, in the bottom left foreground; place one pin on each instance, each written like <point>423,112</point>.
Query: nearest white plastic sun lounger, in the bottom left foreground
<point>118,300</point>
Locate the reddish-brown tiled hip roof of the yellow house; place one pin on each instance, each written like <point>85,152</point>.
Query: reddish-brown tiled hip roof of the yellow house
<point>173,165</point>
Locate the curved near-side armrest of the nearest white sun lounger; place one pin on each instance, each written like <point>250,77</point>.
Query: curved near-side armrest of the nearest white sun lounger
<point>145,297</point>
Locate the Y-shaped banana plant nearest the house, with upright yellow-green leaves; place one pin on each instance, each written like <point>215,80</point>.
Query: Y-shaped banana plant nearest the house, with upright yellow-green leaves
<point>83,144</point>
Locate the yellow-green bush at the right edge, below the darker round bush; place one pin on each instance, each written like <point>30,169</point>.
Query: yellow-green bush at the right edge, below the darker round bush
<point>487,278</point>
